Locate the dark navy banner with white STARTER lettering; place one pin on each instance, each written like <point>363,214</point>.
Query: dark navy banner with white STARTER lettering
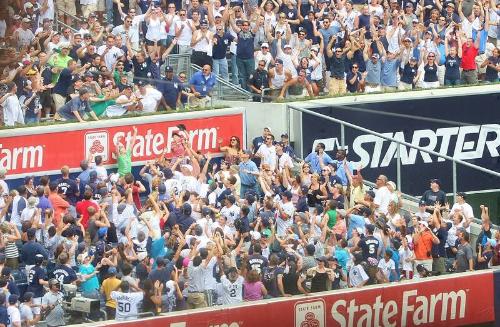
<point>463,127</point>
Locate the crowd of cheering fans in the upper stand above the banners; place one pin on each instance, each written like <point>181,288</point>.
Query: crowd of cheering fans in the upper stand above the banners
<point>112,61</point>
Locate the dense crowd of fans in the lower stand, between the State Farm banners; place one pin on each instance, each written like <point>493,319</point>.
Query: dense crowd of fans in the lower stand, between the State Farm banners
<point>194,231</point>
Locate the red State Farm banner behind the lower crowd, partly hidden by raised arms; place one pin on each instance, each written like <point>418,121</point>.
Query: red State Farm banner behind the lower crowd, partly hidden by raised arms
<point>46,149</point>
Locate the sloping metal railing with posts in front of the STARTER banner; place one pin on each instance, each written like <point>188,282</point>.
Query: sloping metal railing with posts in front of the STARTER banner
<point>344,124</point>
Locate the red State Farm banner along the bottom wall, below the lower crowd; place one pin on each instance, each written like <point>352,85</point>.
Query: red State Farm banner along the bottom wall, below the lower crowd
<point>454,300</point>
